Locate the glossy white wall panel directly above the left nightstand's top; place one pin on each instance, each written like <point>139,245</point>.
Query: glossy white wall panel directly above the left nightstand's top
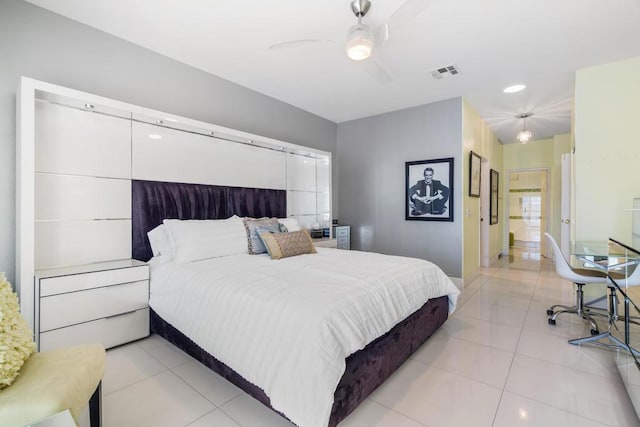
<point>63,243</point>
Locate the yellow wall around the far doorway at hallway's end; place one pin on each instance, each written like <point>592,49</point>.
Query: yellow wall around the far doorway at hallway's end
<point>541,154</point>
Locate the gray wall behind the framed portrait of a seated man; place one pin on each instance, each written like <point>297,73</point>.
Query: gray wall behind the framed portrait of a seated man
<point>371,171</point>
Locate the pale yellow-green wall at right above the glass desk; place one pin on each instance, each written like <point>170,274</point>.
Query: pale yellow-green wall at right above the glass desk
<point>607,157</point>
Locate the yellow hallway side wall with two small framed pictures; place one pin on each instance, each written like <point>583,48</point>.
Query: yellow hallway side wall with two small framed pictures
<point>477,137</point>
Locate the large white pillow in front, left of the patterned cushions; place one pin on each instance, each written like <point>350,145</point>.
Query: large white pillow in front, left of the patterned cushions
<point>195,240</point>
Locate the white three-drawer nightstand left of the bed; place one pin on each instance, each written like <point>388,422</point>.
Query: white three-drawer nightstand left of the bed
<point>106,302</point>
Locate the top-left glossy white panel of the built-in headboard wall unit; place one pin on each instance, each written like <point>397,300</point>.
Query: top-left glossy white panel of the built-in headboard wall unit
<point>76,142</point>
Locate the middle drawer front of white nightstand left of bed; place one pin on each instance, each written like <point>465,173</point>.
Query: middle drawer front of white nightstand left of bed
<point>62,310</point>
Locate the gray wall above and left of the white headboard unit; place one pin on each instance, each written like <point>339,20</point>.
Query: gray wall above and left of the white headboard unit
<point>45,46</point>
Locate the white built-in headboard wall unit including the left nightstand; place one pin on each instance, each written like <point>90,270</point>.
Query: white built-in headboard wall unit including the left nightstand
<point>76,156</point>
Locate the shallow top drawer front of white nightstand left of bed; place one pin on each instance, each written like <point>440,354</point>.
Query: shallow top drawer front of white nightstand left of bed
<point>78,282</point>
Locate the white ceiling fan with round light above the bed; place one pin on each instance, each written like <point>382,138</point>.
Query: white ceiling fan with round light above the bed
<point>361,41</point>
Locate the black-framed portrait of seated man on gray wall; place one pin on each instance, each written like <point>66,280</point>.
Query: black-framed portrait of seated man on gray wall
<point>438,204</point>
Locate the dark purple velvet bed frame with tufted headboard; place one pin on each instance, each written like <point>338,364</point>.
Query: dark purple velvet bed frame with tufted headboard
<point>366,369</point>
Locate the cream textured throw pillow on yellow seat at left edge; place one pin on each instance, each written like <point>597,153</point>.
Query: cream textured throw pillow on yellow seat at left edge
<point>16,340</point>
